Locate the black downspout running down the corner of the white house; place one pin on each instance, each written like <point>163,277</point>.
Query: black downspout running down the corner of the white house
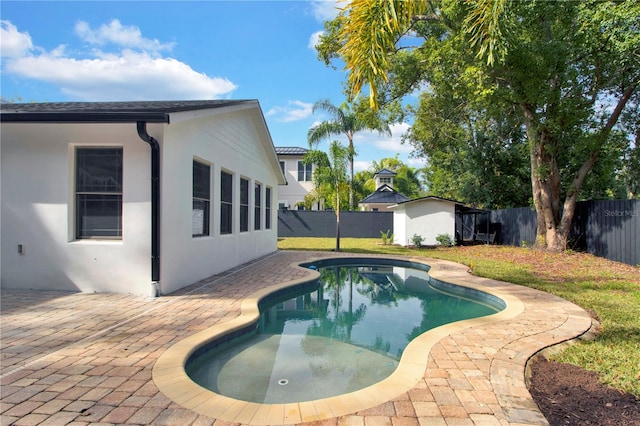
<point>155,205</point>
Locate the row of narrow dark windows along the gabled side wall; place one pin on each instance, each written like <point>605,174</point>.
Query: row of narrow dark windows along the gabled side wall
<point>202,198</point>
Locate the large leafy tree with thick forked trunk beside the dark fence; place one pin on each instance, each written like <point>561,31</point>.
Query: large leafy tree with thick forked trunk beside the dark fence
<point>566,71</point>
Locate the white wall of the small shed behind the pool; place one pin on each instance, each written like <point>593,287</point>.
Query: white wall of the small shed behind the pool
<point>427,218</point>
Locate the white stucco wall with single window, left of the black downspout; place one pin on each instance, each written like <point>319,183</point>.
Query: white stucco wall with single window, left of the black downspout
<point>38,211</point>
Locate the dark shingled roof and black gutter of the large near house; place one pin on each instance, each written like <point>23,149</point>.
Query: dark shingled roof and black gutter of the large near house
<point>106,112</point>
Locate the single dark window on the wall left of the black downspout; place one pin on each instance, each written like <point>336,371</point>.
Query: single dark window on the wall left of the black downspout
<point>98,192</point>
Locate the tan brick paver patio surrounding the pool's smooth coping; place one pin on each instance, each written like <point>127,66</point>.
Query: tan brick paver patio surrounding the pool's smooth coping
<point>87,359</point>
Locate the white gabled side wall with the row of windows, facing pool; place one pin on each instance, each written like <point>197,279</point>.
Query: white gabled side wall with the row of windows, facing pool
<point>229,141</point>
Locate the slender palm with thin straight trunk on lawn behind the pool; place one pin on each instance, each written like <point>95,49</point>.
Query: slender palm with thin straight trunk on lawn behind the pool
<point>330,170</point>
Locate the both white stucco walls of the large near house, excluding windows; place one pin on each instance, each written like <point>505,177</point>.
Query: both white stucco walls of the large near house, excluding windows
<point>38,202</point>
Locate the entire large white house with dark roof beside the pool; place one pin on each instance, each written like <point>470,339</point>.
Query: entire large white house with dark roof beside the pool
<point>134,197</point>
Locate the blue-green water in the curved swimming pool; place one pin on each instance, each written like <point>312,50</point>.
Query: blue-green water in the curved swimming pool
<point>341,333</point>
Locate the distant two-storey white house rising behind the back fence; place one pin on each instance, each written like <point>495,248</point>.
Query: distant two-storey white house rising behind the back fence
<point>299,178</point>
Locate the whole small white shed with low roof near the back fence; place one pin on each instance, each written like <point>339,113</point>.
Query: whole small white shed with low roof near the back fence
<point>429,217</point>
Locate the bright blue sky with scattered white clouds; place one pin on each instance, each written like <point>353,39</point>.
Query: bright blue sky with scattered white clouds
<point>166,50</point>
